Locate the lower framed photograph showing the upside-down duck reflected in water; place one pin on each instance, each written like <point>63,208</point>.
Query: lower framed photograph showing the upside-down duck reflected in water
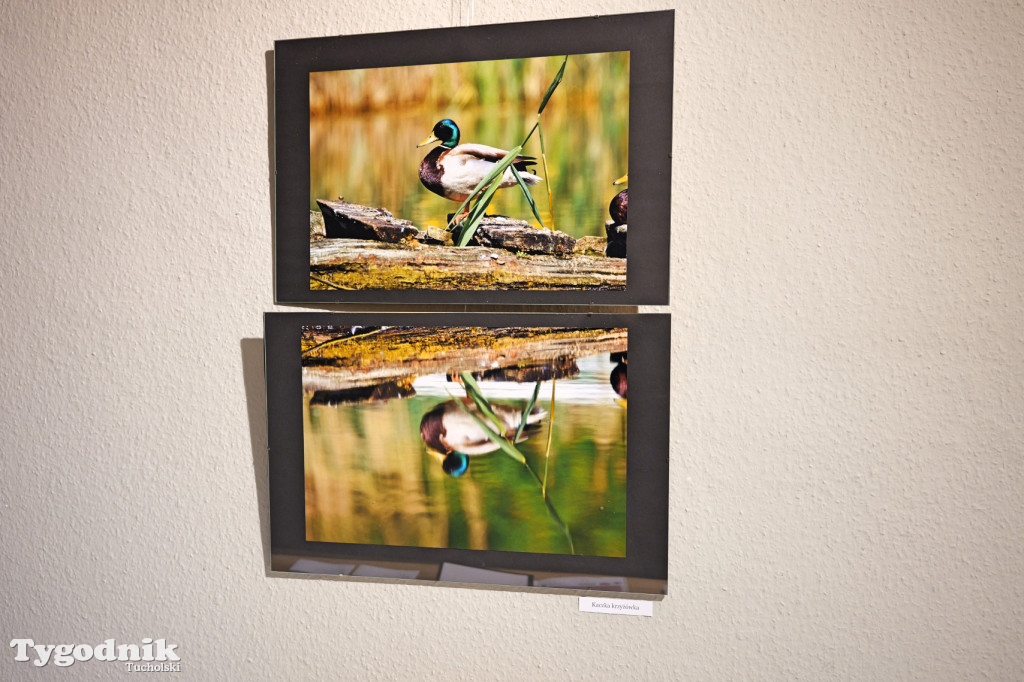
<point>471,449</point>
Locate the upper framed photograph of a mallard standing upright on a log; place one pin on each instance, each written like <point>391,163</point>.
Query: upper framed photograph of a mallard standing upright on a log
<point>494,164</point>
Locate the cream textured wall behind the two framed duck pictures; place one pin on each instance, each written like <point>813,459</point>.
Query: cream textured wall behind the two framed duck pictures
<point>848,440</point>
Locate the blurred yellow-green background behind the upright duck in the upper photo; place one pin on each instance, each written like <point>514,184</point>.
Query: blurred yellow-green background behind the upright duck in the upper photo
<point>365,125</point>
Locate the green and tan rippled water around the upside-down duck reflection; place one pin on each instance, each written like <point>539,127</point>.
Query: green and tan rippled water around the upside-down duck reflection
<point>370,479</point>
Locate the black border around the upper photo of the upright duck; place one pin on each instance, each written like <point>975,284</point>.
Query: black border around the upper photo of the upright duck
<point>649,37</point>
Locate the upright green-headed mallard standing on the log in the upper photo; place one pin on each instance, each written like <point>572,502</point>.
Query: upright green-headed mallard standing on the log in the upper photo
<point>454,170</point>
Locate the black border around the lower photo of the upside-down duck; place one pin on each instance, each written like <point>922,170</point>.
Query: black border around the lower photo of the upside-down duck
<point>644,570</point>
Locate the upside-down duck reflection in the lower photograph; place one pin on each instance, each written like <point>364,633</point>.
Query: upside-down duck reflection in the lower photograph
<point>453,437</point>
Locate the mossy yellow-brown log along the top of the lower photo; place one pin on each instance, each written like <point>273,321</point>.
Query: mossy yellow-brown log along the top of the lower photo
<point>334,361</point>
